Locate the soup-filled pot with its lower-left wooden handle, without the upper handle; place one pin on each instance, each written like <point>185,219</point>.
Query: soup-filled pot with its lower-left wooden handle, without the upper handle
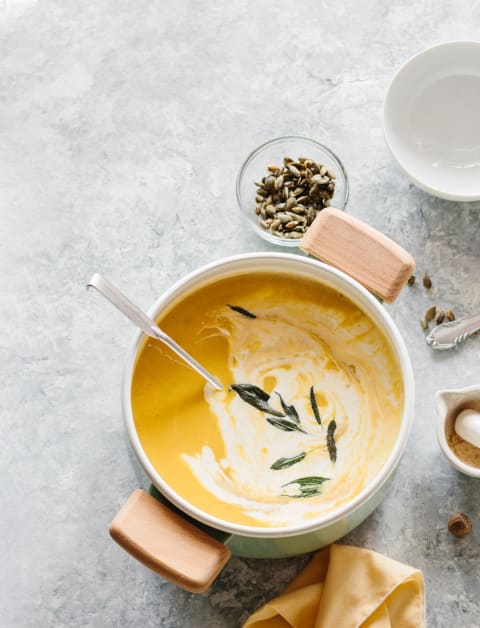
<point>300,445</point>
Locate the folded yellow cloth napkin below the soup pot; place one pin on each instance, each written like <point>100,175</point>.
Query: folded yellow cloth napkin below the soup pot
<point>348,587</point>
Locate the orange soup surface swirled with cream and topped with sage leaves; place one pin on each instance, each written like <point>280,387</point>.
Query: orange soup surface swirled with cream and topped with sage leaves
<point>313,422</point>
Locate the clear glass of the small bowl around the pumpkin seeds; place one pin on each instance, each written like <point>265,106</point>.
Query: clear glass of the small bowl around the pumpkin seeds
<point>272,153</point>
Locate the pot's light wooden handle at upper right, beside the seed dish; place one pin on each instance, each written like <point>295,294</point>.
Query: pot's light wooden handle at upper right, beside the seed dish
<point>362,252</point>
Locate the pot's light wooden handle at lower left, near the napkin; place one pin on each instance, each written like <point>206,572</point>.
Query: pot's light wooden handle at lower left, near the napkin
<point>167,543</point>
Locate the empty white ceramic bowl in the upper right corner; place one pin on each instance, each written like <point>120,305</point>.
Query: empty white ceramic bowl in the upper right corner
<point>432,120</point>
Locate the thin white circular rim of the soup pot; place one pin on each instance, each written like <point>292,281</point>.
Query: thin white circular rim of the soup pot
<point>387,326</point>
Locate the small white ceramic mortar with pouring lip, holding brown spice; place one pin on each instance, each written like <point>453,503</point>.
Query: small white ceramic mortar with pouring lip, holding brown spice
<point>449,405</point>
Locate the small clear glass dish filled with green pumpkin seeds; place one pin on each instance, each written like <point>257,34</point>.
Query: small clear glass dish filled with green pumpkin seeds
<point>285,183</point>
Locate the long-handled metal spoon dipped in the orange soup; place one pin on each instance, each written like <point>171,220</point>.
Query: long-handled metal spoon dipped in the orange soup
<point>146,324</point>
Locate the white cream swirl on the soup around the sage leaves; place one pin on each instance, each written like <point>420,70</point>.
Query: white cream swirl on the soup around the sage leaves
<point>294,346</point>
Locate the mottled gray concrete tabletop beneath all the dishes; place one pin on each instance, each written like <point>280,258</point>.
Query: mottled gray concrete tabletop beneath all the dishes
<point>122,127</point>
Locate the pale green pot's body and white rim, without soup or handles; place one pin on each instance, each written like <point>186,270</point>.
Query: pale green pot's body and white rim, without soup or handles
<point>304,536</point>
